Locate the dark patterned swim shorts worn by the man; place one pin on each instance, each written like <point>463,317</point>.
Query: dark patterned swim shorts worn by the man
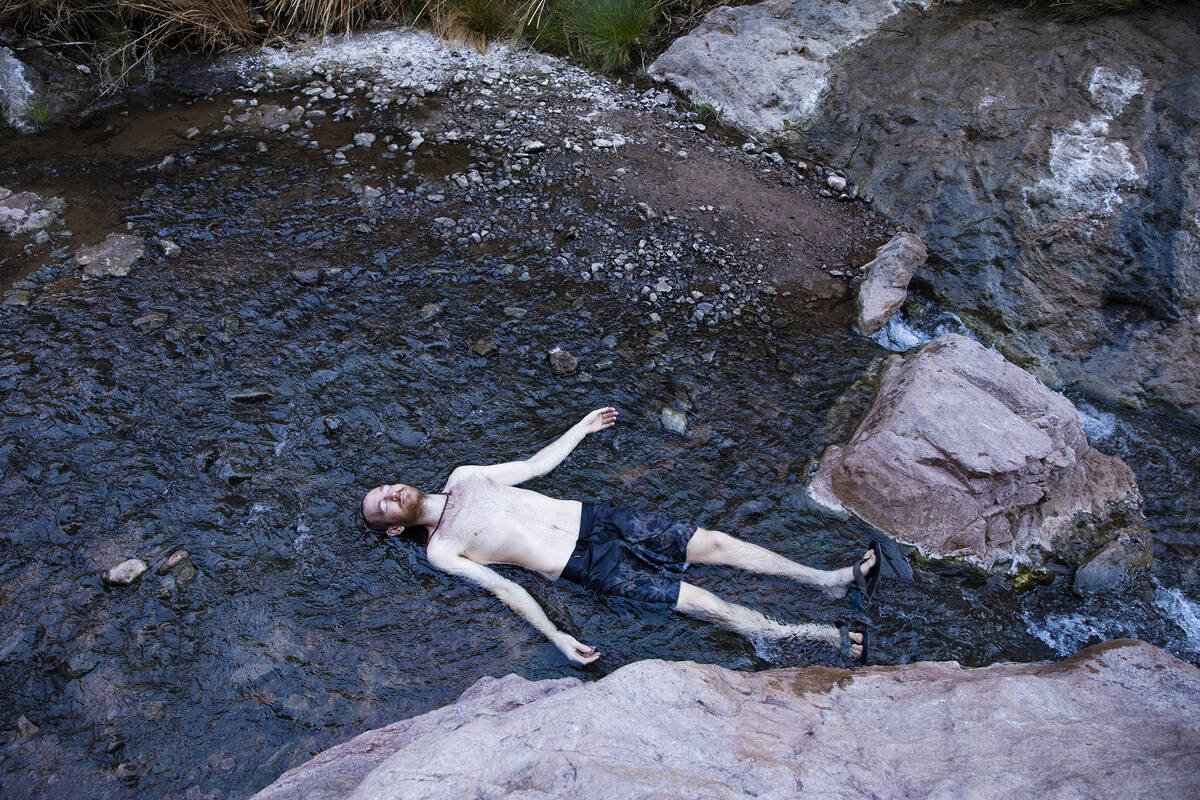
<point>629,554</point>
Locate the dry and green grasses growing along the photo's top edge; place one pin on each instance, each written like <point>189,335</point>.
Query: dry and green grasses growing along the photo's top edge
<point>122,37</point>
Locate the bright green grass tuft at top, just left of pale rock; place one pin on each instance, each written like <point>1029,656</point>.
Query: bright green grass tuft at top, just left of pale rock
<point>610,31</point>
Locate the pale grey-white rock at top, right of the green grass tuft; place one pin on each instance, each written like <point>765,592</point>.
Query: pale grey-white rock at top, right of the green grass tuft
<point>767,67</point>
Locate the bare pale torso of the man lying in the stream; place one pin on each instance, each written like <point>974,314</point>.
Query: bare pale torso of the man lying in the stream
<point>491,524</point>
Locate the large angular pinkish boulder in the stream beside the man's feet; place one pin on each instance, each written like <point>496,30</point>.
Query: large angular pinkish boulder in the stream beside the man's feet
<point>967,455</point>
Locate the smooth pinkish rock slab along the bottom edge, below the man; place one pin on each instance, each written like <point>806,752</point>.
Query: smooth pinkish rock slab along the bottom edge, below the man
<point>1118,720</point>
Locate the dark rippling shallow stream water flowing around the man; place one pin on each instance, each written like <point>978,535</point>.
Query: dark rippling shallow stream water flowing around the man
<point>298,630</point>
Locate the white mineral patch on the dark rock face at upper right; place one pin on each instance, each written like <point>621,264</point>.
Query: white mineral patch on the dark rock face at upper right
<point>1090,173</point>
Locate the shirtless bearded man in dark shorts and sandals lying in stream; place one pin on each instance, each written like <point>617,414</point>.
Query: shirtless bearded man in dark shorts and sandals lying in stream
<point>482,519</point>
